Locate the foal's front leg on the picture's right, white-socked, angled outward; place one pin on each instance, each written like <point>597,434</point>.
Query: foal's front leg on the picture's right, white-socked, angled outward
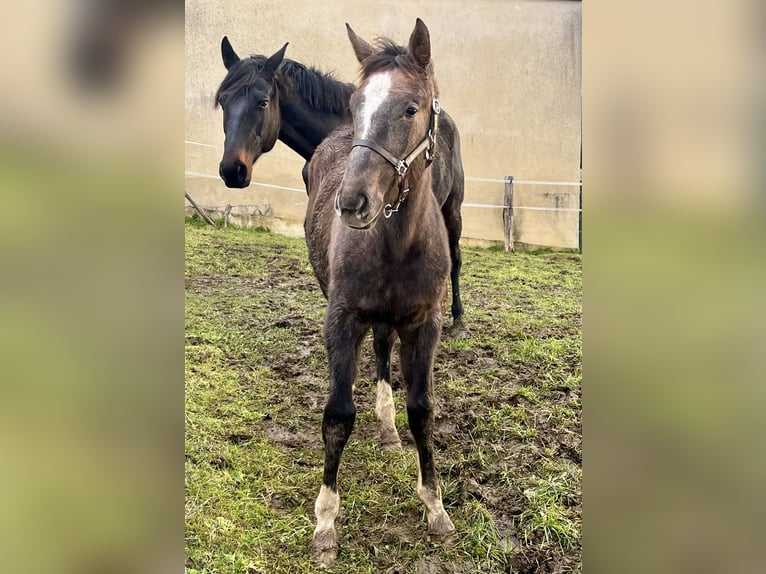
<point>417,353</point>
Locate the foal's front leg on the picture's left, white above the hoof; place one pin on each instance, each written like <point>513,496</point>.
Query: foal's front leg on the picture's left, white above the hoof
<point>343,337</point>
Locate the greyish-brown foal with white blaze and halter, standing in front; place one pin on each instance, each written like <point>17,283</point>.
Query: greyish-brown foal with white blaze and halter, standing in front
<point>379,247</point>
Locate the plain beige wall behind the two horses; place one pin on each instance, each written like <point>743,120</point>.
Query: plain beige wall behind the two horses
<point>508,71</point>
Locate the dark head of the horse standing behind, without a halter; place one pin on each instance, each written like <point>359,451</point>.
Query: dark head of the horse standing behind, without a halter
<point>250,102</point>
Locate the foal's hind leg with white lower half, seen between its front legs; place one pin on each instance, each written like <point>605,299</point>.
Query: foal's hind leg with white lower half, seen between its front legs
<point>383,341</point>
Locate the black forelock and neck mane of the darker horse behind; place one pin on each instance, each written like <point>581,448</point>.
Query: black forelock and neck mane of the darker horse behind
<point>320,89</point>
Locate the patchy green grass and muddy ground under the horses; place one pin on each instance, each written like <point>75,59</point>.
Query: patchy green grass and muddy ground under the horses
<point>508,429</point>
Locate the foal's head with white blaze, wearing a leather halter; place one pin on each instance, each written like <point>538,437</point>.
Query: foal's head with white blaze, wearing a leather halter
<point>393,111</point>
